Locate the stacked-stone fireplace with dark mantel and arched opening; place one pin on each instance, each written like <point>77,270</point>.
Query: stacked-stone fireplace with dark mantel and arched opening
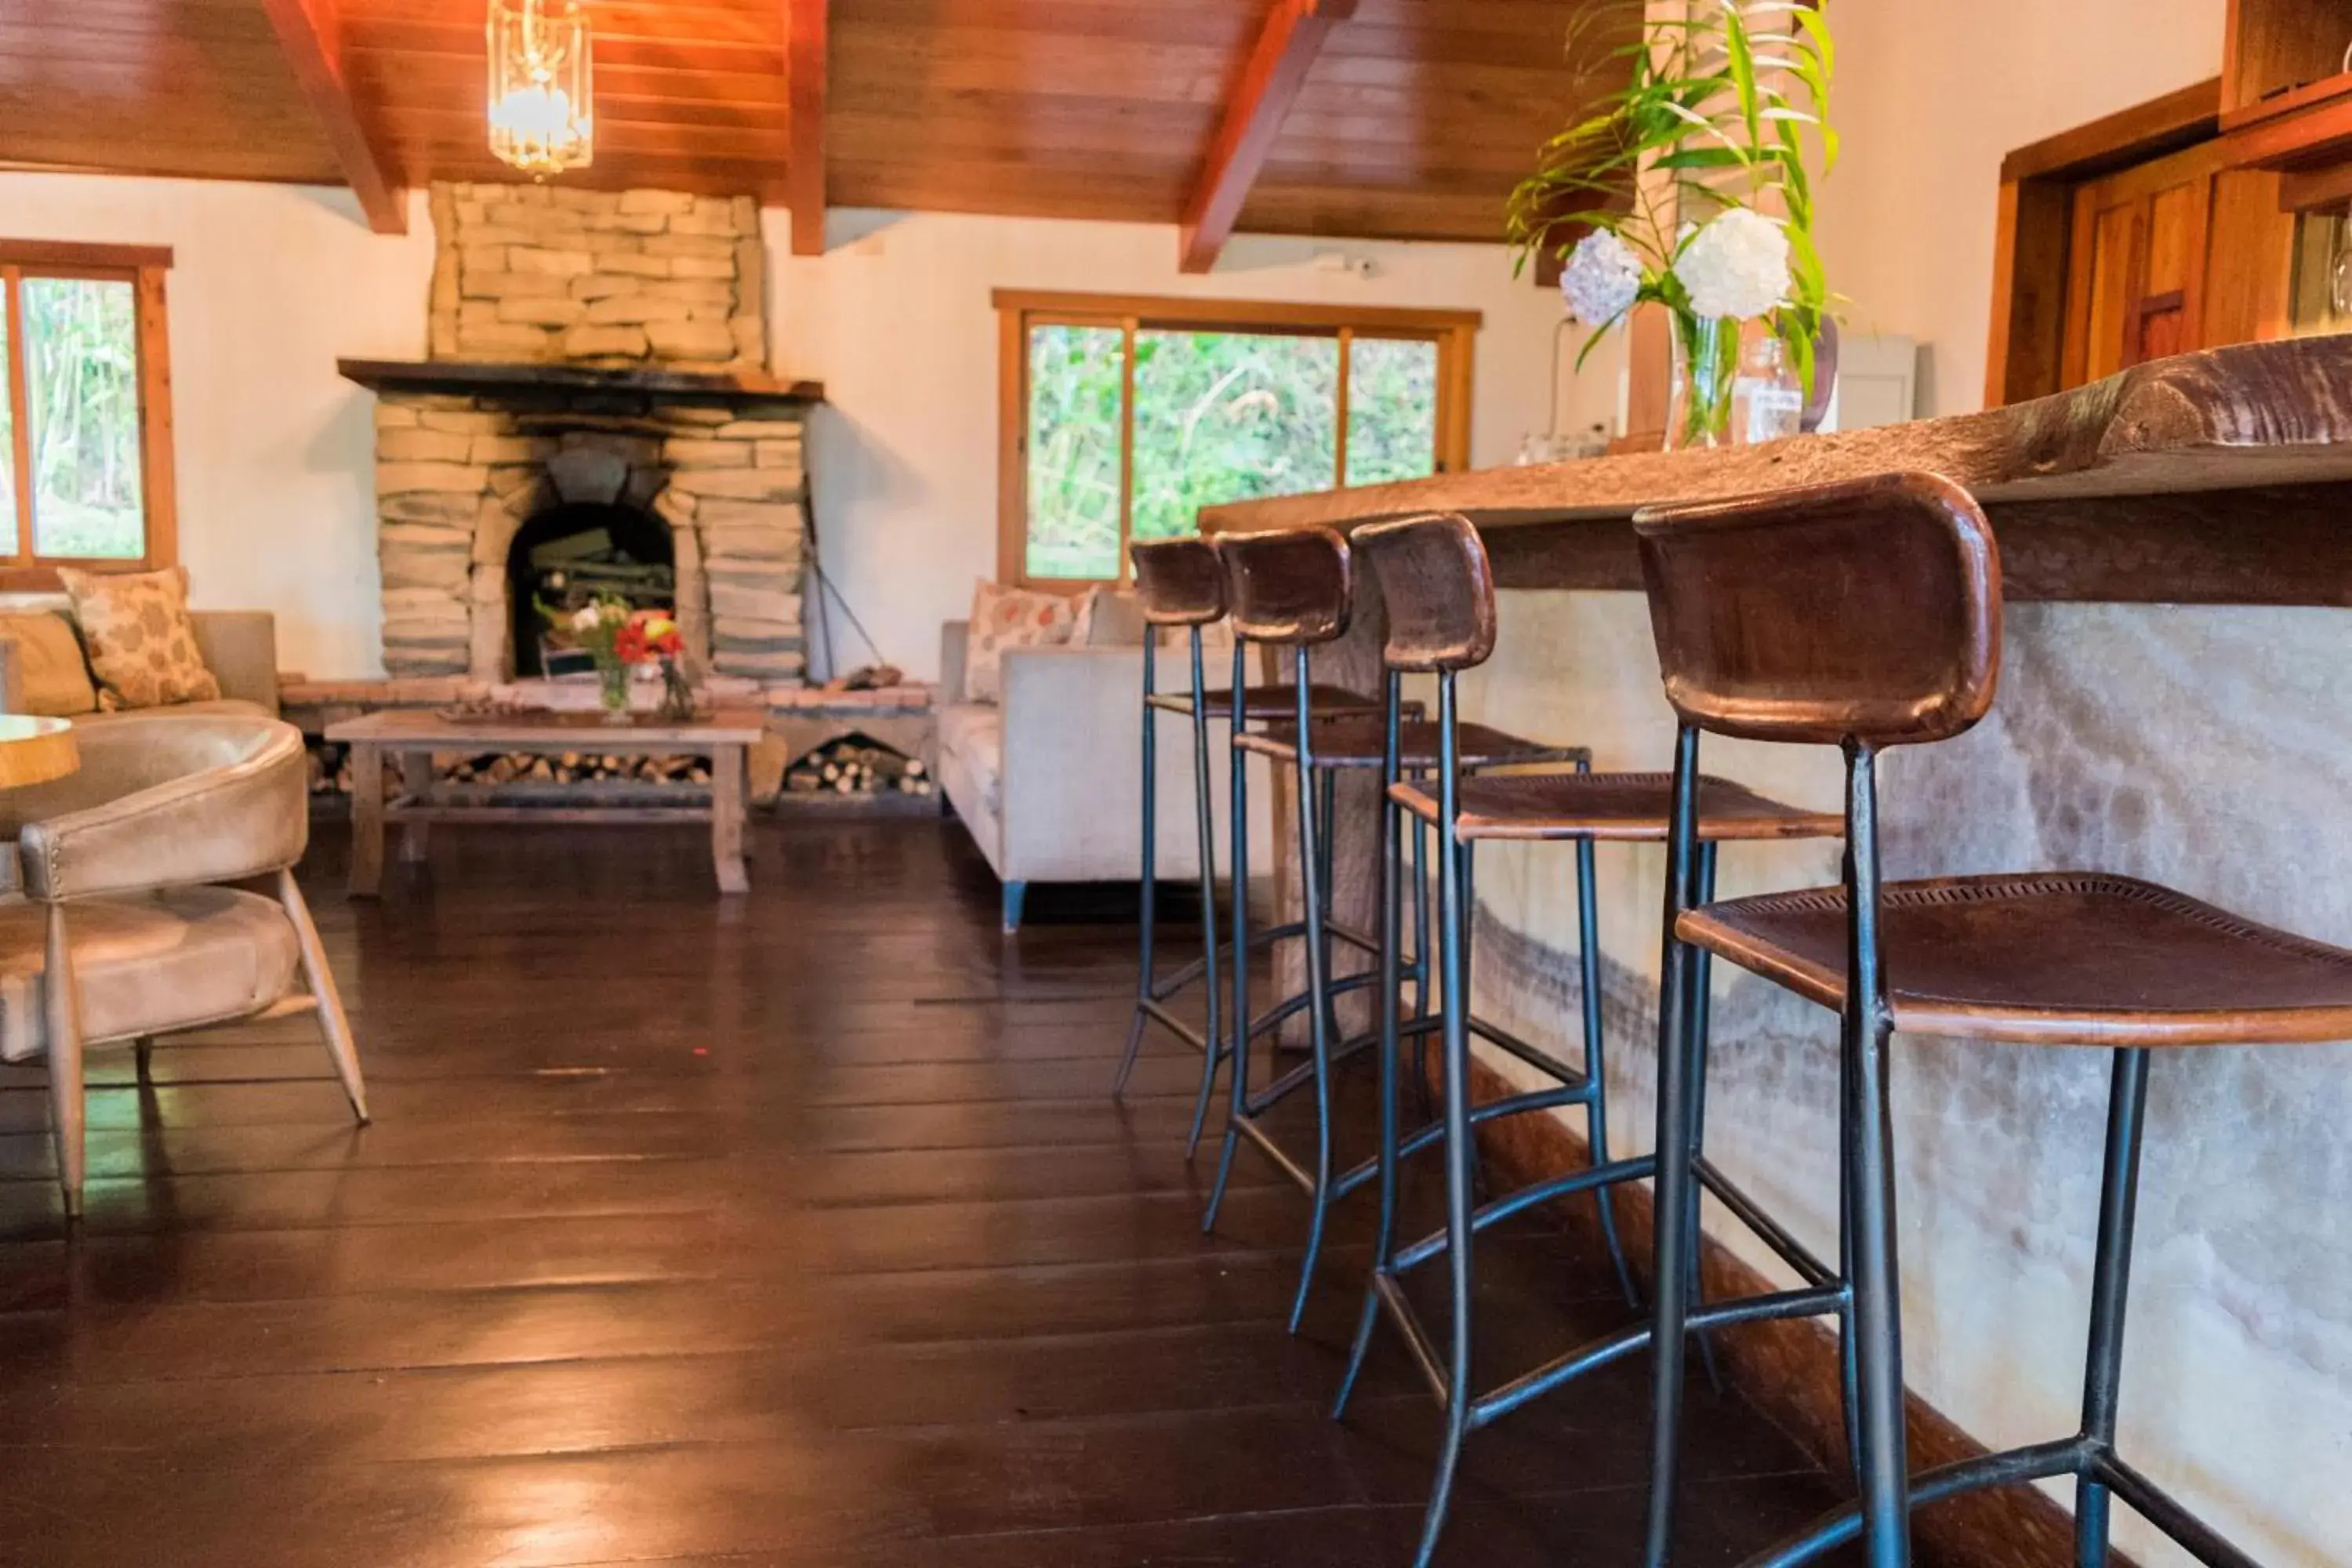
<point>594,356</point>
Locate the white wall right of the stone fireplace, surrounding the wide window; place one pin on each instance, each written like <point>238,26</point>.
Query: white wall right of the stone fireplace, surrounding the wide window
<point>900,328</point>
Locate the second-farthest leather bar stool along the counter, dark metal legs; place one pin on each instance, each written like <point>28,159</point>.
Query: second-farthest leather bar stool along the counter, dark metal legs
<point>1297,591</point>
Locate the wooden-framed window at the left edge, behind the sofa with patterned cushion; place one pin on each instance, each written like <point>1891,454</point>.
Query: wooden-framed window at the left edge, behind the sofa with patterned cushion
<point>86,410</point>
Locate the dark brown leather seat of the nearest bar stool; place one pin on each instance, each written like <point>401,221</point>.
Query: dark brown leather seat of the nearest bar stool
<point>2050,958</point>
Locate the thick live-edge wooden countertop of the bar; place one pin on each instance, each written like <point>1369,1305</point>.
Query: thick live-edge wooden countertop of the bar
<point>2210,478</point>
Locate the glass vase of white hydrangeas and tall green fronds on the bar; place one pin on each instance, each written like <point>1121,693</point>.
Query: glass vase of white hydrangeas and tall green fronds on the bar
<point>1695,189</point>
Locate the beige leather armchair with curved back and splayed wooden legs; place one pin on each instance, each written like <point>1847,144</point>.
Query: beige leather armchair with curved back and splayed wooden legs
<point>126,930</point>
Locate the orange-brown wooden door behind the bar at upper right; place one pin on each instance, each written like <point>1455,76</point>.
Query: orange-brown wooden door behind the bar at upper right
<point>2137,267</point>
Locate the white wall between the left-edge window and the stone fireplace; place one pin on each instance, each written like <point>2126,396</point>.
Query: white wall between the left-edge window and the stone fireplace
<point>274,448</point>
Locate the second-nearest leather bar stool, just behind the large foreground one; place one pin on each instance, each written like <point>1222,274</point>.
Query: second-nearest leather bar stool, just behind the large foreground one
<point>1443,622</point>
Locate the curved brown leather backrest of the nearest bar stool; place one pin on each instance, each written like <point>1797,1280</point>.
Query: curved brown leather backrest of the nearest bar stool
<point>1850,612</point>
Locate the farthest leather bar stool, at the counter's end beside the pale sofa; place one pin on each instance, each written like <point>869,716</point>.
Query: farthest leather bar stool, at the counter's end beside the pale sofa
<point>1182,584</point>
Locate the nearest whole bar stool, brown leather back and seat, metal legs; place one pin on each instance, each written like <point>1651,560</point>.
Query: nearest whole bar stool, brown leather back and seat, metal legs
<point>1869,617</point>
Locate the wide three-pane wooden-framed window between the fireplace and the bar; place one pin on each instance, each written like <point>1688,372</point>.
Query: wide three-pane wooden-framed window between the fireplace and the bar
<point>1123,417</point>
